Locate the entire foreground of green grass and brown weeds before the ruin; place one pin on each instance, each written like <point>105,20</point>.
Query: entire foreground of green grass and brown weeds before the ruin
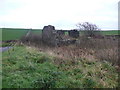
<point>73,66</point>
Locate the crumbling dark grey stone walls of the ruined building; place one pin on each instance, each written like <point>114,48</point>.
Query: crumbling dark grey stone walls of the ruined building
<point>53,37</point>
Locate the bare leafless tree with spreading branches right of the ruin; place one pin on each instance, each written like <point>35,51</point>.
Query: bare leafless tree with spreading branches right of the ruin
<point>88,28</point>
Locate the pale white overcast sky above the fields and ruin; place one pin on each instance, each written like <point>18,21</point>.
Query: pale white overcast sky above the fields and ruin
<point>63,14</point>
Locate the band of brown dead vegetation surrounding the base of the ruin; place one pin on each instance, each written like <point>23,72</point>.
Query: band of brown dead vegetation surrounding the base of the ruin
<point>88,48</point>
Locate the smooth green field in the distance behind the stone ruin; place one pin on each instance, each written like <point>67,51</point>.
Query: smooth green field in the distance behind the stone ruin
<point>16,33</point>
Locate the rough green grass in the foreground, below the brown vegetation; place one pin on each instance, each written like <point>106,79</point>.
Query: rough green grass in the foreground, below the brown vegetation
<point>25,67</point>
